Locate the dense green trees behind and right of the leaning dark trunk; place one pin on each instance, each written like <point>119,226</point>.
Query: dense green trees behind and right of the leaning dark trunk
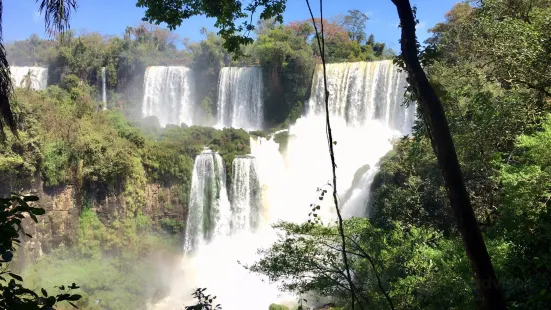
<point>497,102</point>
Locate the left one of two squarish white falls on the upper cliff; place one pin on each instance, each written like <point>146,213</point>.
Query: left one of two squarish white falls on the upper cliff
<point>169,95</point>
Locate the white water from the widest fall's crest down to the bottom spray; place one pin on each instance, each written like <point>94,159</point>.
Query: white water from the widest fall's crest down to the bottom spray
<point>365,116</point>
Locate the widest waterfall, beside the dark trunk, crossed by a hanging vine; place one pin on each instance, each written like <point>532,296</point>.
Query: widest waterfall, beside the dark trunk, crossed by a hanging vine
<point>366,111</point>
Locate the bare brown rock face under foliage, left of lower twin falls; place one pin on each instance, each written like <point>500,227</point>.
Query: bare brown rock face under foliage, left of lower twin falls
<point>58,228</point>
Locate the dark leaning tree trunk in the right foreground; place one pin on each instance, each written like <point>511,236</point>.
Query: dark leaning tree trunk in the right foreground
<point>442,143</point>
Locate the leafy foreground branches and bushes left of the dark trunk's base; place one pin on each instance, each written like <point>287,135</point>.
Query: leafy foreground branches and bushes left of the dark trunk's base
<point>415,266</point>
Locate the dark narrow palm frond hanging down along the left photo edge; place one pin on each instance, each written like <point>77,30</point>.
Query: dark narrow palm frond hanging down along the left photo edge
<point>6,89</point>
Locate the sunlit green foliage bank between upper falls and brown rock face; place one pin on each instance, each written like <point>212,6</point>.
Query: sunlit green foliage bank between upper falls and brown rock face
<point>64,139</point>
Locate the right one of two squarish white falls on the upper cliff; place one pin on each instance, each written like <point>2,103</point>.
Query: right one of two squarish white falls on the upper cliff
<point>240,101</point>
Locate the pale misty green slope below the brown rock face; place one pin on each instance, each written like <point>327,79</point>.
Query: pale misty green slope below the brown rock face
<point>128,281</point>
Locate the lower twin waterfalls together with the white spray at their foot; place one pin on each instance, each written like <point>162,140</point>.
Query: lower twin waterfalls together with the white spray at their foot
<point>214,262</point>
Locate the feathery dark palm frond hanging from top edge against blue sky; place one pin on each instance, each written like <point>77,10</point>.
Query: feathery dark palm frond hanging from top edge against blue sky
<point>57,14</point>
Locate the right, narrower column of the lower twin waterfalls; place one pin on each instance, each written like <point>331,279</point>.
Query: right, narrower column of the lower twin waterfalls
<point>245,194</point>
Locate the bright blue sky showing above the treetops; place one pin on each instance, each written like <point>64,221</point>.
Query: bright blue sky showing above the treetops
<point>21,18</point>
